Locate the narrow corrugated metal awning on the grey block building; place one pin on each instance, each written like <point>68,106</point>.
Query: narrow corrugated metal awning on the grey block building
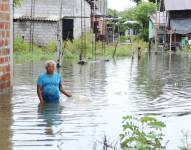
<point>37,18</point>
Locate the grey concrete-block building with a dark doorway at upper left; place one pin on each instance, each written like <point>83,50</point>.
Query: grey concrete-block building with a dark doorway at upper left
<point>37,20</point>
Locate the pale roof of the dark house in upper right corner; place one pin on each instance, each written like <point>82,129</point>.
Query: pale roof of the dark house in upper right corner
<point>177,4</point>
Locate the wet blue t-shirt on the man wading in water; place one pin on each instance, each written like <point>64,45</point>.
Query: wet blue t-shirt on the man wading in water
<point>50,85</point>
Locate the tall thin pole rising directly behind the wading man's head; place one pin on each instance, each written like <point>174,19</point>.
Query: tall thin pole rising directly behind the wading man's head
<point>59,37</point>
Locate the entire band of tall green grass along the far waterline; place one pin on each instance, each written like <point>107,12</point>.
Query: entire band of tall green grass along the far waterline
<point>72,49</point>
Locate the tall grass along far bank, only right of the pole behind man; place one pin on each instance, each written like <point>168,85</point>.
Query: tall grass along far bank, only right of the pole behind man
<point>72,48</point>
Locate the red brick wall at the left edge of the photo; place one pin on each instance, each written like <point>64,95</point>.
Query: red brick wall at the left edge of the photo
<point>5,61</point>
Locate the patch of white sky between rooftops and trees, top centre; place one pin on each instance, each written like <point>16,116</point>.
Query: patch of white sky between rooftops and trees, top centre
<point>120,4</point>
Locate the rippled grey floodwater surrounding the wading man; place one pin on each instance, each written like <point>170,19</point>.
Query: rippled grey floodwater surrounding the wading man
<point>156,85</point>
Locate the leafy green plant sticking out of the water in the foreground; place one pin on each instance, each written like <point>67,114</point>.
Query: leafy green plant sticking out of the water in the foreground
<point>143,133</point>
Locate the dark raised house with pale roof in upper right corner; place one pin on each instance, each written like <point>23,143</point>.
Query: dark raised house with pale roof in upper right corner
<point>178,20</point>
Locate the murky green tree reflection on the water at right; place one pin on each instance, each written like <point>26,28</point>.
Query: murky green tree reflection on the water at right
<point>148,80</point>
